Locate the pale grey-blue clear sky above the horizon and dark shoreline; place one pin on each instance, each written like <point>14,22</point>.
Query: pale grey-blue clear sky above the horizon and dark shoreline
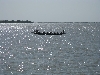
<point>51,10</point>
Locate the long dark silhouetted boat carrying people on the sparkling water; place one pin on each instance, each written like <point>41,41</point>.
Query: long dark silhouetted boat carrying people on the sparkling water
<point>47,33</point>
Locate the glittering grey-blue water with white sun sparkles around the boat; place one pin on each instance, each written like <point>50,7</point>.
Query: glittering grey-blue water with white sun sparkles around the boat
<point>75,53</point>
